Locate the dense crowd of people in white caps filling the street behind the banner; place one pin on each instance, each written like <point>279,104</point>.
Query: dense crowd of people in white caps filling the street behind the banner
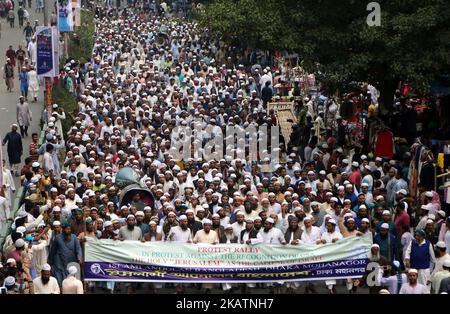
<point>149,74</point>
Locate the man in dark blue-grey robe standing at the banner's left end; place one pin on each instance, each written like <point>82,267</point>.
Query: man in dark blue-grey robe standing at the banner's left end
<point>64,250</point>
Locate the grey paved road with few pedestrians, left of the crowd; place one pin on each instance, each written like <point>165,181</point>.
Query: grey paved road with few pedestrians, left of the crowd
<point>8,101</point>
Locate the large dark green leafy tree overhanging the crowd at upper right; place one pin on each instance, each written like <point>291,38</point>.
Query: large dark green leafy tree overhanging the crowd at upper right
<point>412,44</point>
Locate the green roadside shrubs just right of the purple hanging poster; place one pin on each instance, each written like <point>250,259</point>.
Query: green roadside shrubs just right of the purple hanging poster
<point>85,33</point>
